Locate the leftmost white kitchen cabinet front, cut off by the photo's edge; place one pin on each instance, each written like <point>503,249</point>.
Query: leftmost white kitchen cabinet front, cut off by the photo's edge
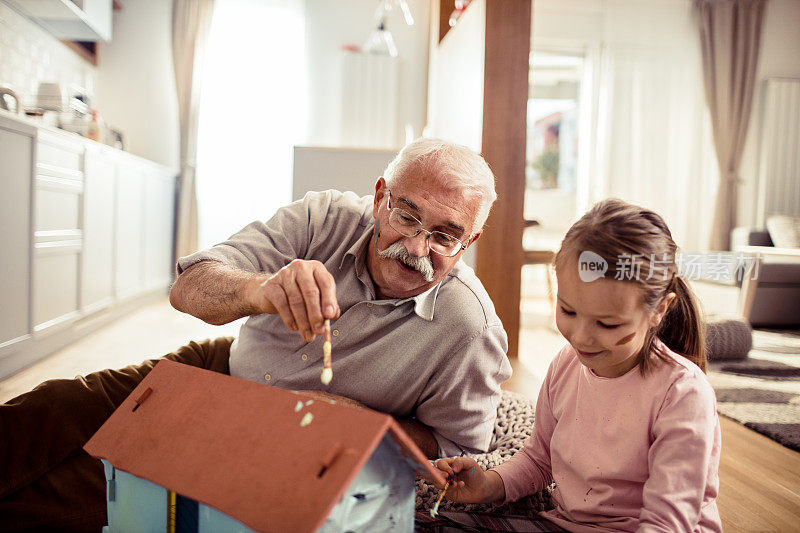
<point>16,155</point>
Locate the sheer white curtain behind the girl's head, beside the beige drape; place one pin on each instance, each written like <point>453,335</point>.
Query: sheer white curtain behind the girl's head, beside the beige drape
<point>652,144</point>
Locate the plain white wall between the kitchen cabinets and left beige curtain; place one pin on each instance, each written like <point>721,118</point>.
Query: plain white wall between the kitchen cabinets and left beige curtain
<point>135,85</point>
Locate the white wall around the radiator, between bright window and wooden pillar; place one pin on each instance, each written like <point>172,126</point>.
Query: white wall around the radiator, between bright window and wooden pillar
<point>329,26</point>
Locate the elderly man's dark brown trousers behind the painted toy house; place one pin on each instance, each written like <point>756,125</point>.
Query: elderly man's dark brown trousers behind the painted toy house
<point>47,481</point>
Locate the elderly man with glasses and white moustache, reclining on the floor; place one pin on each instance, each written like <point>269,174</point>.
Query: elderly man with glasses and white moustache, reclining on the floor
<point>414,333</point>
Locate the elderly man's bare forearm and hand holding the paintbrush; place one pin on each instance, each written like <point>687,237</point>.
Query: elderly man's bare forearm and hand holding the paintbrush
<point>302,292</point>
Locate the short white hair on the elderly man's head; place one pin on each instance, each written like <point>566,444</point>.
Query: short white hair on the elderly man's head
<point>454,165</point>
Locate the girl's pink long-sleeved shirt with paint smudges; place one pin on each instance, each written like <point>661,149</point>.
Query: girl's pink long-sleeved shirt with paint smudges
<point>631,453</point>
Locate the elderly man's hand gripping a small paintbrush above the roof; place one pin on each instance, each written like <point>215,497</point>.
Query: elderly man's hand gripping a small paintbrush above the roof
<point>302,292</point>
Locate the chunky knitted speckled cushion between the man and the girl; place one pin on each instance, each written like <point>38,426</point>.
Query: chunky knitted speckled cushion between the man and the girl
<point>512,427</point>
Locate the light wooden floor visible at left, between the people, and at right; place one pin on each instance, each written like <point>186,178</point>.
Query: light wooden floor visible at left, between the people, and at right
<point>759,478</point>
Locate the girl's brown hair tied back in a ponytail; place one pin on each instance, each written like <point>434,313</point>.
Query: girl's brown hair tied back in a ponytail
<point>638,248</point>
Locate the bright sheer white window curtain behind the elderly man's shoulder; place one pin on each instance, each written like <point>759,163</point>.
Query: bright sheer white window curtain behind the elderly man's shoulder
<point>252,113</point>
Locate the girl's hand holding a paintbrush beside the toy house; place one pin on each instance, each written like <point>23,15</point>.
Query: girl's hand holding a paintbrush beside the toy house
<point>469,483</point>
